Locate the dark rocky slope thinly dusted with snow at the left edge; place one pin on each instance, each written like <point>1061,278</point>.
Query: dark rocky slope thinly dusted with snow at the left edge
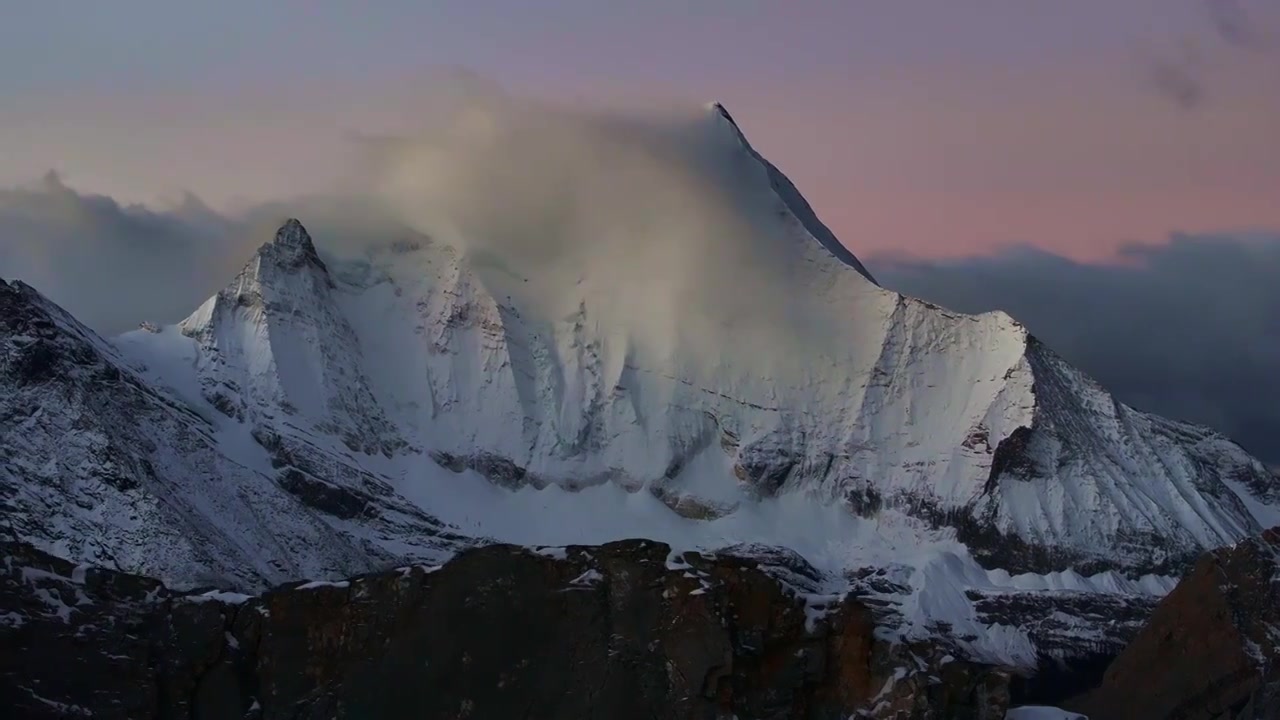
<point>104,467</point>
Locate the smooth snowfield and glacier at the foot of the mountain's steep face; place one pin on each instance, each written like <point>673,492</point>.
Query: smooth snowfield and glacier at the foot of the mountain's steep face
<point>936,567</point>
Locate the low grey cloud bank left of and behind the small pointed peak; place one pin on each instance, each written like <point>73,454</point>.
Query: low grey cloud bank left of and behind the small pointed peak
<point>115,266</point>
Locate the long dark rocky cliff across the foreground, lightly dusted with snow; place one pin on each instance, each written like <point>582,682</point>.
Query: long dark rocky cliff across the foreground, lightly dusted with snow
<point>624,631</point>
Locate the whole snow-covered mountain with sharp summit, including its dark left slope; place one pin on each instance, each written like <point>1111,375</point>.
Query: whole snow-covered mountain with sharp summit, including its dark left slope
<point>322,417</point>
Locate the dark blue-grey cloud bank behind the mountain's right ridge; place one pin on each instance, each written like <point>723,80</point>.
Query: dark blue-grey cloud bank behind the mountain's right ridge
<point>1188,330</point>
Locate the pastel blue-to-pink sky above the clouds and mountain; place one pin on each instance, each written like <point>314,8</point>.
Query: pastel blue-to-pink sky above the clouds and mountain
<point>927,127</point>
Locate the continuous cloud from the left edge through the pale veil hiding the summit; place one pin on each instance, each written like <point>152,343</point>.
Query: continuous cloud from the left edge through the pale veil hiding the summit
<point>662,209</point>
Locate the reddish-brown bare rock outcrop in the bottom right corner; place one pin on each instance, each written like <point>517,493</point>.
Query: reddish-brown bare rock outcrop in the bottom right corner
<point>1210,650</point>
